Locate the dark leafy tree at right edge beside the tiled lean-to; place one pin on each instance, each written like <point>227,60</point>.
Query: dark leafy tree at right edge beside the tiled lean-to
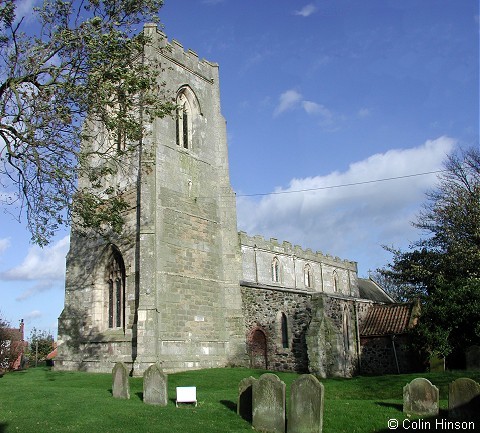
<point>443,267</point>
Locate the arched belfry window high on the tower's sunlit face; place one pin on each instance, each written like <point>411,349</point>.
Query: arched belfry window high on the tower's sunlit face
<point>187,110</point>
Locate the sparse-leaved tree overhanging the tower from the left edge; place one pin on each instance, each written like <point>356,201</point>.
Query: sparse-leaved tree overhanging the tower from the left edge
<point>82,67</point>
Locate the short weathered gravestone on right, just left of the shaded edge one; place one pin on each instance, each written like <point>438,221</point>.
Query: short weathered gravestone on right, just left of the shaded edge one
<point>420,397</point>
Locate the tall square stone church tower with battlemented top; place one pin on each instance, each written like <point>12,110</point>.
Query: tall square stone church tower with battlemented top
<point>167,290</point>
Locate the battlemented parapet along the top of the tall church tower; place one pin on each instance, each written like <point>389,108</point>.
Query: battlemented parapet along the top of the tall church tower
<point>174,51</point>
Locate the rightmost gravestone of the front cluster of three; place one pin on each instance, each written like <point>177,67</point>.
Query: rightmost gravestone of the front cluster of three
<point>306,405</point>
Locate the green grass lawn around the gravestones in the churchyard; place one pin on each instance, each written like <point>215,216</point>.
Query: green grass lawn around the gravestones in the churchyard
<point>40,400</point>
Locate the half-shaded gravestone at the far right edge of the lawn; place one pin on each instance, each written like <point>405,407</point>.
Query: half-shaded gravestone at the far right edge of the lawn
<point>464,399</point>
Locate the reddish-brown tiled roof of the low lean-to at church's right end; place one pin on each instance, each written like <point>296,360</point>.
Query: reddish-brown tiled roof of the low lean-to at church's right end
<point>387,320</point>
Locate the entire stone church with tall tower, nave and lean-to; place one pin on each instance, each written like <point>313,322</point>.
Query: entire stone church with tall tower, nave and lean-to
<point>182,288</point>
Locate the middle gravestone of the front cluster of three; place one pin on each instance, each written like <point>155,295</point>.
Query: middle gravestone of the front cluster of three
<point>268,404</point>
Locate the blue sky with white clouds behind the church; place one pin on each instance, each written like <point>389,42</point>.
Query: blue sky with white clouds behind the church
<point>335,111</point>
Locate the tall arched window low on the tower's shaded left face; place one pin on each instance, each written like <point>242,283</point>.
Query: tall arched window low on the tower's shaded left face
<point>116,290</point>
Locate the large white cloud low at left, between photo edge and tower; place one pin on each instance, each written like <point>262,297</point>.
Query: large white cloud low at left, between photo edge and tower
<point>47,264</point>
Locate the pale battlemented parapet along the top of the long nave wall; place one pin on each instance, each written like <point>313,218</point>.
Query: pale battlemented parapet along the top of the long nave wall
<point>286,248</point>
